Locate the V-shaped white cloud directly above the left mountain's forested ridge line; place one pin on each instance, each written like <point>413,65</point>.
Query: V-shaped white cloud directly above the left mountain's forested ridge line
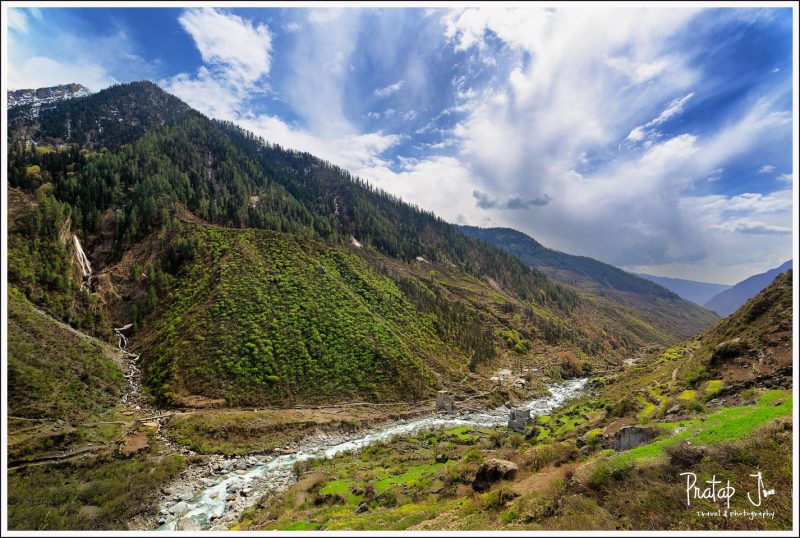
<point>223,88</point>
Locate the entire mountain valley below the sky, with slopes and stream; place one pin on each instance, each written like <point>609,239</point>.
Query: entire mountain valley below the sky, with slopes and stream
<point>209,331</point>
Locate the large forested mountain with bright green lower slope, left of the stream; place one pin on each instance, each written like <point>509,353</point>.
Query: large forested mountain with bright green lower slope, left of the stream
<point>252,274</point>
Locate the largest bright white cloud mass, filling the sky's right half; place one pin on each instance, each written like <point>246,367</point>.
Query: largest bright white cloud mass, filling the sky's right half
<point>534,131</point>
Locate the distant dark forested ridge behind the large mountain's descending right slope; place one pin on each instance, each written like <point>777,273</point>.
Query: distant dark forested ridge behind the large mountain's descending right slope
<point>607,285</point>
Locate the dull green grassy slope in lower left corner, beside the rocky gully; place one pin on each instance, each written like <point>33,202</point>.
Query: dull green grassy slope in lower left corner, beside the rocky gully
<point>64,424</point>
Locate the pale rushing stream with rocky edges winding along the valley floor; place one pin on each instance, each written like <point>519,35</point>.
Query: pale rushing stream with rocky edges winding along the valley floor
<point>237,483</point>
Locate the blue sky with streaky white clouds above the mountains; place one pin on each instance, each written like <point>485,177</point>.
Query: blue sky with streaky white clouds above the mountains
<point>657,139</point>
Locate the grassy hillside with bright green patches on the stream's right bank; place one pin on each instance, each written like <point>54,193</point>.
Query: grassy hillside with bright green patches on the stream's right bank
<point>714,408</point>
